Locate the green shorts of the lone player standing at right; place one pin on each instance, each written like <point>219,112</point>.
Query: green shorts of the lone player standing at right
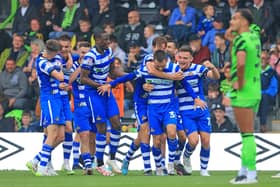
<point>246,103</point>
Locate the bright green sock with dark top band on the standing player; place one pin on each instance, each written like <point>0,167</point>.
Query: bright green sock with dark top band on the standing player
<point>249,151</point>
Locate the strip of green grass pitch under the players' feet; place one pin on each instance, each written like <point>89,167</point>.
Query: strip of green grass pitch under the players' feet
<point>133,179</point>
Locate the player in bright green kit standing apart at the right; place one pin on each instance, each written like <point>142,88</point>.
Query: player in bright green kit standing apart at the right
<point>246,93</point>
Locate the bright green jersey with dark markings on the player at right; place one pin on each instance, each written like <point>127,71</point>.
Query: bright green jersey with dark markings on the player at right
<point>250,43</point>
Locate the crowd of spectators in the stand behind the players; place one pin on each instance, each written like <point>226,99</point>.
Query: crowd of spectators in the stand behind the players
<point>26,24</point>
